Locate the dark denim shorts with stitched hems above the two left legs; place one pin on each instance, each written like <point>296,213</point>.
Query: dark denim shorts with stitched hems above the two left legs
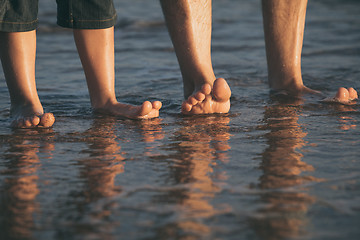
<point>22,15</point>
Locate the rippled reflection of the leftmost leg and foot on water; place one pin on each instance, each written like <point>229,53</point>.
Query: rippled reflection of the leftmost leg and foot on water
<point>19,189</point>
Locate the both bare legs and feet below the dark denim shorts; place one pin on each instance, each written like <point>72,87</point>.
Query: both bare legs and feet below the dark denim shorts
<point>96,51</point>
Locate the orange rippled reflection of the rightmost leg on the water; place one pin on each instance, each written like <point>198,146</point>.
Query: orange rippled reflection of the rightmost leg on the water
<point>285,213</point>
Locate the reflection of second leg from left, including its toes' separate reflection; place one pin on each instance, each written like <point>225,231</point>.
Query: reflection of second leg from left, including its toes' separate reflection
<point>97,199</point>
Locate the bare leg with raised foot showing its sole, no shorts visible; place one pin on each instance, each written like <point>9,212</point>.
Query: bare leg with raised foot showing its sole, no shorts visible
<point>189,25</point>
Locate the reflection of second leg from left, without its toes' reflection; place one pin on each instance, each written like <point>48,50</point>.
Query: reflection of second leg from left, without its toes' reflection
<point>94,201</point>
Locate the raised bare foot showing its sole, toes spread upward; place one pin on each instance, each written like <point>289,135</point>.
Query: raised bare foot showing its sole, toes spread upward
<point>207,100</point>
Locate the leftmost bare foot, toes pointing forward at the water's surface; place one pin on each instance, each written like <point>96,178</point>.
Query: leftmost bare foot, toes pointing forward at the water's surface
<point>26,118</point>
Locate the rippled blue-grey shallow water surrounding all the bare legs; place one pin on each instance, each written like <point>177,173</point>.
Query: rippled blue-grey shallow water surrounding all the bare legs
<point>266,170</point>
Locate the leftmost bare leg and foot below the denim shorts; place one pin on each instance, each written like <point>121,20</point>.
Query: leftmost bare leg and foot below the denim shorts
<point>17,53</point>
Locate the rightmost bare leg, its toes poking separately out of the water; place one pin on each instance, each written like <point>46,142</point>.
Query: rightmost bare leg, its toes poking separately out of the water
<point>284,23</point>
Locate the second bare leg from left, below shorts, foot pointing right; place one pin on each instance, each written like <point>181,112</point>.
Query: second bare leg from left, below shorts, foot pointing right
<point>96,51</point>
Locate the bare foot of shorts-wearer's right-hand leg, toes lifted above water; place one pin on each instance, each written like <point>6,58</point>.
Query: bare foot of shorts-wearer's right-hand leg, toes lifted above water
<point>147,110</point>
